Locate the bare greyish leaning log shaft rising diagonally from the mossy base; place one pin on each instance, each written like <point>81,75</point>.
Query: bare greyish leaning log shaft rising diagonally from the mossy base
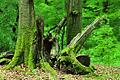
<point>81,37</point>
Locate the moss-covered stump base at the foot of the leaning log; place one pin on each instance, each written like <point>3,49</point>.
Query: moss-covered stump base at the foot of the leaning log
<point>68,62</point>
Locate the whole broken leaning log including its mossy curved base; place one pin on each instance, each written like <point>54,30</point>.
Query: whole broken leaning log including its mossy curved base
<point>68,57</point>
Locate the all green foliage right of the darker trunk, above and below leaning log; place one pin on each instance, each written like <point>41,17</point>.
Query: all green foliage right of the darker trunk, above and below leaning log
<point>103,44</point>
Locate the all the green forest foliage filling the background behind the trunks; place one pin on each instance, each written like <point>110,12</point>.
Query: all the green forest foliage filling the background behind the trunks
<point>103,45</point>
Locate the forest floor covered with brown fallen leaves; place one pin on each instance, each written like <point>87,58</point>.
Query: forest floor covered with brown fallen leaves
<point>102,73</point>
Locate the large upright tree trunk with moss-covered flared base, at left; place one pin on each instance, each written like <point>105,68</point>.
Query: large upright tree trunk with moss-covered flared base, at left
<point>24,51</point>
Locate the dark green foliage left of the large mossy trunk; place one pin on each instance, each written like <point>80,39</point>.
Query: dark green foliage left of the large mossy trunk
<point>8,15</point>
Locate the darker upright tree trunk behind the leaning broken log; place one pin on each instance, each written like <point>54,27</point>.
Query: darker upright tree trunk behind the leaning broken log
<point>74,11</point>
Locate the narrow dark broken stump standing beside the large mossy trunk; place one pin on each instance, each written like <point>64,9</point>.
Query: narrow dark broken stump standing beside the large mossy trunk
<point>39,47</point>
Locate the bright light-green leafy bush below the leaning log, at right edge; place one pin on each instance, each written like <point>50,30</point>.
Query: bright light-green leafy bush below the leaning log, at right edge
<point>103,46</point>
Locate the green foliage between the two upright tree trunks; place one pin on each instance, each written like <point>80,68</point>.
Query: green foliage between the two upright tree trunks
<point>52,13</point>
